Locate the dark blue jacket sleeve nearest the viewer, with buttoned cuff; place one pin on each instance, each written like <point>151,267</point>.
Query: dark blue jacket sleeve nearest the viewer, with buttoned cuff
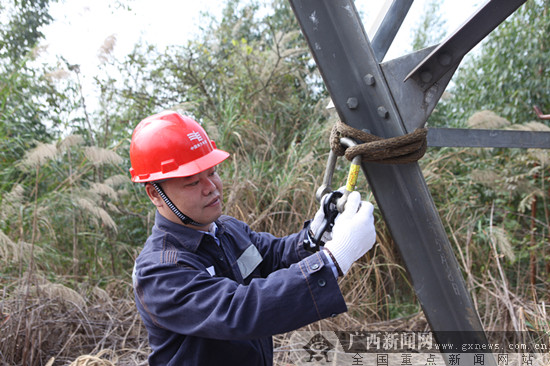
<point>185,299</point>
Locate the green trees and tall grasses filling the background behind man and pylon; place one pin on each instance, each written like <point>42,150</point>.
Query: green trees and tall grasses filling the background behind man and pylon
<point>71,222</point>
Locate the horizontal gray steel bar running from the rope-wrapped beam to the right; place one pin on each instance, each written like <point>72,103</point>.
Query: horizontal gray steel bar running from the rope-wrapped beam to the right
<point>458,137</point>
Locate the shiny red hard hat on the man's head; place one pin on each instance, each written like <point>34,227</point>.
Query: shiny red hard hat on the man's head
<point>169,145</point>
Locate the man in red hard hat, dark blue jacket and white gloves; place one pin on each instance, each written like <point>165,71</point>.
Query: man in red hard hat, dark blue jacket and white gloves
<point>210,290</point>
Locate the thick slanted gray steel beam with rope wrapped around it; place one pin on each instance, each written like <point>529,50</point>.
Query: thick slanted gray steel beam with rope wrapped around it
<point>363,100</point>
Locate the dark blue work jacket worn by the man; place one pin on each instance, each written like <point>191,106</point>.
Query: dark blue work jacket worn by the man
<point>207,301</point>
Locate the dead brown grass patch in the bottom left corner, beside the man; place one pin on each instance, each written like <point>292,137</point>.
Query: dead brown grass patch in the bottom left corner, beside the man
<point>47,323</point>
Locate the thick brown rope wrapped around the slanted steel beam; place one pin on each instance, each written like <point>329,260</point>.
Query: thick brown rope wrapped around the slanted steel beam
<point>404,149</point>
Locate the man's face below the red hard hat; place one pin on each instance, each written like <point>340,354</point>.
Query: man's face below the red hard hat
<point>198,196</point>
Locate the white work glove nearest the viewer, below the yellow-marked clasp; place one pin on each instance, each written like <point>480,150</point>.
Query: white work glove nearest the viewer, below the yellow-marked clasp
<point>353,234</point>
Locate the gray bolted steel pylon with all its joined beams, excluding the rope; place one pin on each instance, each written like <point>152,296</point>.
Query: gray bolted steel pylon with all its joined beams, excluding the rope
<point>393,98</point>
